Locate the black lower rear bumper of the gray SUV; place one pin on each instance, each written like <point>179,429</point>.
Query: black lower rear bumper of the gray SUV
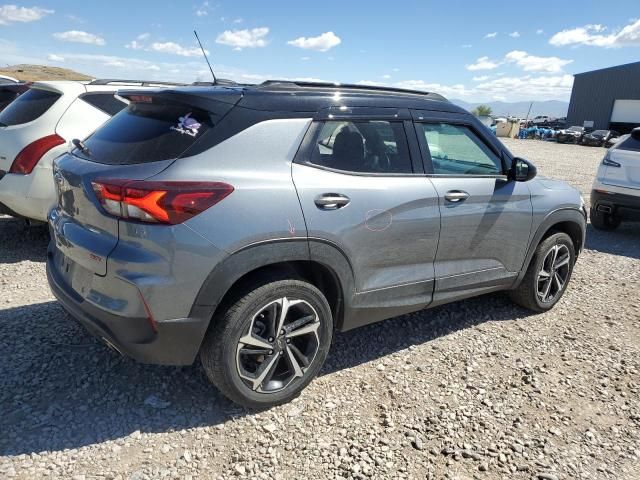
<point>172,342</point>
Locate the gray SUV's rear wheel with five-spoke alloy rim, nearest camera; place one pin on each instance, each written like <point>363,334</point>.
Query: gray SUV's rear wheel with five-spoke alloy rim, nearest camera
<point>266,347</point>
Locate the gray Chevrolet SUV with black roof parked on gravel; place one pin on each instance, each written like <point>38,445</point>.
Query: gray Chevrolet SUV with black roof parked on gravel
<point>247,224</point>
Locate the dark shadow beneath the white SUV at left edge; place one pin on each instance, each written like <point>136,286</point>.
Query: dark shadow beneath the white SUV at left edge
<point>20,242</point>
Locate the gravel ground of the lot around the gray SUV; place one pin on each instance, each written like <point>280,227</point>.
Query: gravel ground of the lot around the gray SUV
<point>478,389</point>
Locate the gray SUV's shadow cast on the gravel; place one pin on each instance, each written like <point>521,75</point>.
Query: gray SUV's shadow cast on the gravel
<point>60,388</point>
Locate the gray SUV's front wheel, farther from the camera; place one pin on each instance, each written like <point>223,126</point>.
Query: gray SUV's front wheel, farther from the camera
<point>548,274</point>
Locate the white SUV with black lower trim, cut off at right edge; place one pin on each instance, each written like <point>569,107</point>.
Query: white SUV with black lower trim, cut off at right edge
<point>616,190</point>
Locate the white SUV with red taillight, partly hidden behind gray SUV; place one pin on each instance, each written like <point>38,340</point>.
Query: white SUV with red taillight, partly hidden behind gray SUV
<point>39,125</point>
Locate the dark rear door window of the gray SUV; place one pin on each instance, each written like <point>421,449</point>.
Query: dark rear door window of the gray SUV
<point>373,146</point>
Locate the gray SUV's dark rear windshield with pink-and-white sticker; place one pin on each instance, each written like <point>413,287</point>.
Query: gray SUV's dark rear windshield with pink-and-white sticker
<point>147,132</point>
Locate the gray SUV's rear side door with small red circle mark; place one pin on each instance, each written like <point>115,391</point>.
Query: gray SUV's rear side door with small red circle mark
<point>361,192</point>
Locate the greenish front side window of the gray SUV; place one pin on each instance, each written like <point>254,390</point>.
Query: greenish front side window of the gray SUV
<point>456,150</point>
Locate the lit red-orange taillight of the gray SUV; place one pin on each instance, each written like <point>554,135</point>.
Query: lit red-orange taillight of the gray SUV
<point>158,202</point>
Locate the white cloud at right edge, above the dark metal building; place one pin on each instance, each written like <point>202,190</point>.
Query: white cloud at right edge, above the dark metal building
<point>593,35</point>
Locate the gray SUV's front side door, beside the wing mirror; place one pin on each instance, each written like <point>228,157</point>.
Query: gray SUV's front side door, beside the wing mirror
<point>485,217</point>
